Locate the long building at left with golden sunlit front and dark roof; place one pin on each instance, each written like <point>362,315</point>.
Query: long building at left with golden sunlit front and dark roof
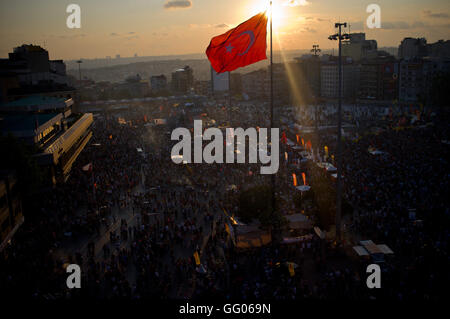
<point>49,124</point>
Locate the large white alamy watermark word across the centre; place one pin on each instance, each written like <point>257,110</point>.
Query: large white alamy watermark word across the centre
<point>234,152</point>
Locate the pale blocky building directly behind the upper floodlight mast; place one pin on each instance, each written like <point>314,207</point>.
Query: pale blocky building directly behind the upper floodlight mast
<point>329,79</point>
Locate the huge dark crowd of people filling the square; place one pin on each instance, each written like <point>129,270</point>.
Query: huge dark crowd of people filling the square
<point>142,226</point>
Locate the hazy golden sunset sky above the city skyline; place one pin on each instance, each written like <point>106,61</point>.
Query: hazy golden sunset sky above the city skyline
<point>174,27</point>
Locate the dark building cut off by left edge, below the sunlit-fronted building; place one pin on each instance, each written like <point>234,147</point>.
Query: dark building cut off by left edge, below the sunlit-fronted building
<point>11,216</point>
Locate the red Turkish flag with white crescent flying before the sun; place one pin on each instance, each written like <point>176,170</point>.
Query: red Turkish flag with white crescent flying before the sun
<point>240,46</point>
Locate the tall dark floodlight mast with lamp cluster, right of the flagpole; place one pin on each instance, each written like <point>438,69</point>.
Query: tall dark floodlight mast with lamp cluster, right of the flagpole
<point>339,36</point>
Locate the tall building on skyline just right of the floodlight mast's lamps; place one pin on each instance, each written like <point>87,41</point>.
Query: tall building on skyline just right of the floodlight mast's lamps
<point>358,48</point>
